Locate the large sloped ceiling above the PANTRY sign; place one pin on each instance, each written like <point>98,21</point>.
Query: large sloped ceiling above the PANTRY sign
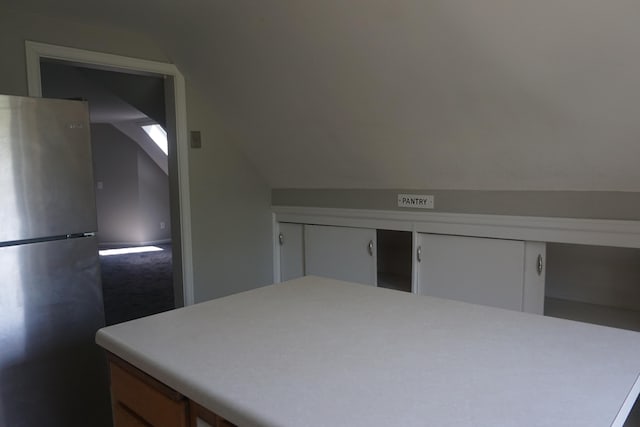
<point>448,94</point>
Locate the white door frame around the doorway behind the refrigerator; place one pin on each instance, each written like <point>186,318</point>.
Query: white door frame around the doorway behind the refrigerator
<point>36,51</point>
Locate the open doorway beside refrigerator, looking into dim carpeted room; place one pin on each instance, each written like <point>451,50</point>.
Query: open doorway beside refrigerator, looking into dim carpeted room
<point>130,160</point>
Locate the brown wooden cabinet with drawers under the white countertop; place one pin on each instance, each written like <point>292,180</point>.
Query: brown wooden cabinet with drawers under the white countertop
<point>139,400</point>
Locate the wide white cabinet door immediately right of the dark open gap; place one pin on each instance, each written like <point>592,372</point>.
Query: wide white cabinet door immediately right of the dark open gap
<point>476,270</point>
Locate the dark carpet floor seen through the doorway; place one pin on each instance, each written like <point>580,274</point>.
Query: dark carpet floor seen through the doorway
<point>137,285</point>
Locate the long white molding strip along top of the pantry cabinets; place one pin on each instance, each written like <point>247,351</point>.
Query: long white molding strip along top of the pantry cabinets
<point>538,229</point>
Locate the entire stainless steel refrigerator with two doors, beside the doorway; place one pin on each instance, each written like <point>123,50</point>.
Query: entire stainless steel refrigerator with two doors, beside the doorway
<point>51,372</point>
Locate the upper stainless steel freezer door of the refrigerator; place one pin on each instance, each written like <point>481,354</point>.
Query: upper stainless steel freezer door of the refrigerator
<point>46,173</point>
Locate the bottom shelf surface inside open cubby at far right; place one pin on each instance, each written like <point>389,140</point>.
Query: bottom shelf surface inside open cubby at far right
<point>592,313</point>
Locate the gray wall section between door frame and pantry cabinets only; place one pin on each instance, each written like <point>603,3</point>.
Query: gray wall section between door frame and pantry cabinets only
<point>231,215</point>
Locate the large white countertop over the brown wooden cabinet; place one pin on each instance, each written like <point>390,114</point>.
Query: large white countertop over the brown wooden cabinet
<point>319,352</point>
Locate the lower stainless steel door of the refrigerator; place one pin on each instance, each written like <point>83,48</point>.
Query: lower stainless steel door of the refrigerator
<point>51,371</point>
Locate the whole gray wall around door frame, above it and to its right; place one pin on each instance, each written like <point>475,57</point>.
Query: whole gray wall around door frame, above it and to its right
<point>231,220</point>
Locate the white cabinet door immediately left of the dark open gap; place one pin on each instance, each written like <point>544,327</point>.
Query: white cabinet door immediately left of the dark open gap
<point>341,253</point>
